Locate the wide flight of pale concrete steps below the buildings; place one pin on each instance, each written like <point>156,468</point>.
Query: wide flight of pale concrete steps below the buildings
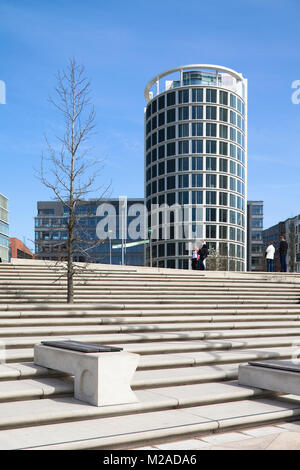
<point>191,329</point>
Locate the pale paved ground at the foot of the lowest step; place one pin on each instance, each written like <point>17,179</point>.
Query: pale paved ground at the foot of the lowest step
<point>285,436</point>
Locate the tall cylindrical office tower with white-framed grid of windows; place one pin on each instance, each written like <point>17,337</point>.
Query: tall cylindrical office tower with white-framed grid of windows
<point>195,166</point>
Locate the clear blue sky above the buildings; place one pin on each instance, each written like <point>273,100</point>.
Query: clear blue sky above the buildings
<point>122,46</point>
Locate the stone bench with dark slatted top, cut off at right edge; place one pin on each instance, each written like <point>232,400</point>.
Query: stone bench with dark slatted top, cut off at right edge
<point>277,376</point>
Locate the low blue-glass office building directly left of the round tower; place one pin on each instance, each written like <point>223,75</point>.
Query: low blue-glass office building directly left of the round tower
<point>109,231</point>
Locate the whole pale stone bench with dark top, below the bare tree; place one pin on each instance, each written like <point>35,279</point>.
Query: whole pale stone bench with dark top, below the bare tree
<point>102,374</point>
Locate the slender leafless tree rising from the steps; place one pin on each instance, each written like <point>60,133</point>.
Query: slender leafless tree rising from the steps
<point>67,171</point>
